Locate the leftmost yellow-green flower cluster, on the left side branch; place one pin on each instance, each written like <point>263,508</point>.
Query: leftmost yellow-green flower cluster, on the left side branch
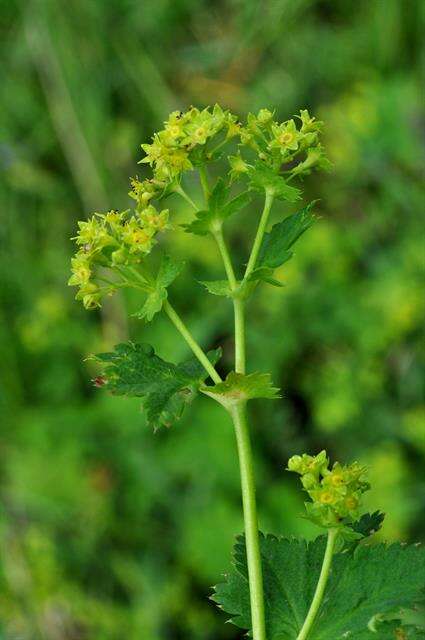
<point>112,240</point>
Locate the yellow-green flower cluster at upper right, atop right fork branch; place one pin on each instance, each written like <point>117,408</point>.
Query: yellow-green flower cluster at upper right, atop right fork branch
<point>282,143</point>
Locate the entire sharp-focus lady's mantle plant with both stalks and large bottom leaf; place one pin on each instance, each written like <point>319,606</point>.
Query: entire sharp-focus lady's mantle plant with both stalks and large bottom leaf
<point>337,586</point>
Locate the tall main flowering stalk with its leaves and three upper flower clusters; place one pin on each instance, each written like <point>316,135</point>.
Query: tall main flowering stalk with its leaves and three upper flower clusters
<point>113,251</point>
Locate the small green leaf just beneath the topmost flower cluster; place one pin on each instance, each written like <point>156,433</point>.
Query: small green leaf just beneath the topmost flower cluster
<point>220,208</point>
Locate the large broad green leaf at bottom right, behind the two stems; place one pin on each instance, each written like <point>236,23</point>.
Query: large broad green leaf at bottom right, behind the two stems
<point>367,582</point>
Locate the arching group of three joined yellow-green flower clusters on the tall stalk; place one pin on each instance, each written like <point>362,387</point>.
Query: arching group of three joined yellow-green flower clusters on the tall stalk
<point>118,241</point>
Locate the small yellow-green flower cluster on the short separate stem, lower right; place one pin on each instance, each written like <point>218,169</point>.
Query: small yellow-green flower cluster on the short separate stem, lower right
<point>335,492</point>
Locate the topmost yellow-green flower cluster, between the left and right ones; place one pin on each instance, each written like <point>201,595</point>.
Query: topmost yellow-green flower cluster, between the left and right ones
<point>172,150</point>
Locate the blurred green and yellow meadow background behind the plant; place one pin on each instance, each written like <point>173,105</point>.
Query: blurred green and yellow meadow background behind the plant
<point>108,531</point>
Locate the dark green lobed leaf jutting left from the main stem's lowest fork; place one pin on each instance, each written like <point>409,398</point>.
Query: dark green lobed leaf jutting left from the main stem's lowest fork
<point>135,370</point>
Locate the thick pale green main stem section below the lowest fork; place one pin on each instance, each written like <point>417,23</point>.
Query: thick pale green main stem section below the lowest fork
<point>251,522</point>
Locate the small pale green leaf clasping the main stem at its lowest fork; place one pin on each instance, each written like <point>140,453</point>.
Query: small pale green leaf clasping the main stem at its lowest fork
<point>238,386</point>
